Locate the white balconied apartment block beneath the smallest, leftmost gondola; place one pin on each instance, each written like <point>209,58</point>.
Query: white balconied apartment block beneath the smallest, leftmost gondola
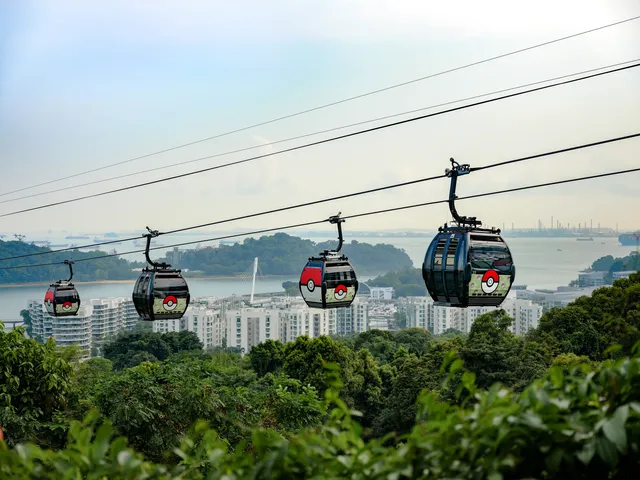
<point>97,321</point>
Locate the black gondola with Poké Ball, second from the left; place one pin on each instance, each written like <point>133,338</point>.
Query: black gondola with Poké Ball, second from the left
<point>160,293</point>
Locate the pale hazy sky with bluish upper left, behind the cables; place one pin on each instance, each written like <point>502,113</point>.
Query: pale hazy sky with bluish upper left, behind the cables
<point>87,84</point>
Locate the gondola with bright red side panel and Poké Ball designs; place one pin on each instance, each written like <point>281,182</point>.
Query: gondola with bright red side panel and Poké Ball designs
<point>329,281</point>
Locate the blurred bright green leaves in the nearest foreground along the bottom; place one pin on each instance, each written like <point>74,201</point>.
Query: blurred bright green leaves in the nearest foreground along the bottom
<point>575,426</point>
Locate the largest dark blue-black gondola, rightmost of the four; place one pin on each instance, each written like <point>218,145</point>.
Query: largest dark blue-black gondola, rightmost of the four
<point>466,265</point>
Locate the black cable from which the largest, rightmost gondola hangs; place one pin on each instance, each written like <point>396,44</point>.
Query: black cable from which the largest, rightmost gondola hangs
<point>341,197</point>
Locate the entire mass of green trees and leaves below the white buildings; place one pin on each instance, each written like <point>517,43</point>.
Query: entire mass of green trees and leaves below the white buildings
<point>561,402</point>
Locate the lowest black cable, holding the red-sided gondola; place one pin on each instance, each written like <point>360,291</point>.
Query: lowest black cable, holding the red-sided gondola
<point>357,215</point>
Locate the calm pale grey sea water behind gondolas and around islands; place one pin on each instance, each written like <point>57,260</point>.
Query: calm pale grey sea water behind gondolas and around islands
<point>541,263</point>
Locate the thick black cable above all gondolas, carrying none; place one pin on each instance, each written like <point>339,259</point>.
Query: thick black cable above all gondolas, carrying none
<point>320,142</point>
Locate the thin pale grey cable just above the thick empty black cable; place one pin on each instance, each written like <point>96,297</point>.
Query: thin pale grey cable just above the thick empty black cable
<point>298,137</point>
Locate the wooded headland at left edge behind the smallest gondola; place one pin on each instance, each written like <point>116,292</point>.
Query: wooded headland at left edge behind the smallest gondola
<point>111,268</point>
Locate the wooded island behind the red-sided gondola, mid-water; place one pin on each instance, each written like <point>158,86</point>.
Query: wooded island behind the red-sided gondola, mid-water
<point>282,254</point>
